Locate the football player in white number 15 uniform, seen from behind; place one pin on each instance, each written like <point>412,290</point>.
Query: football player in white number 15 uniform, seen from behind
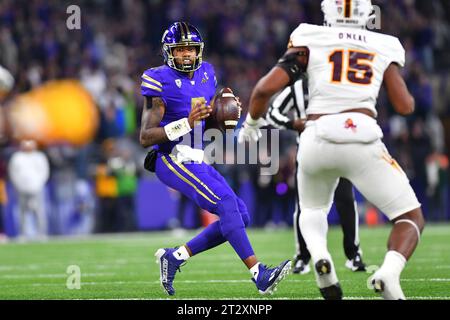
<point>346,65</point>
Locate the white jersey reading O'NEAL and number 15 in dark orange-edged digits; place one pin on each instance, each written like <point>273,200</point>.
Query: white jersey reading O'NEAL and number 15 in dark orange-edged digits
<point>346,66</point>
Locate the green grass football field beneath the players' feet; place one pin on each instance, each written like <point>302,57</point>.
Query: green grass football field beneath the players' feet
<point>123,267</point>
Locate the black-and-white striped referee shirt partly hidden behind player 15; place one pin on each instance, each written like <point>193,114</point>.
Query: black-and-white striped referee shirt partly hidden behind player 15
<point>294,97</point>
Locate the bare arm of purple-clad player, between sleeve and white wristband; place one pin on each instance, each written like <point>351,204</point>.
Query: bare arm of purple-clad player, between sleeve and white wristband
<point>152,115</point>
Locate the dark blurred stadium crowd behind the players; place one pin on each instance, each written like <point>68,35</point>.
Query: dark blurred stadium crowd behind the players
<point>119,39</point>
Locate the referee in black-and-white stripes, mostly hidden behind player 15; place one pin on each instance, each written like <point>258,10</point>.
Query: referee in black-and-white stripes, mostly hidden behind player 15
<point>287,111</point>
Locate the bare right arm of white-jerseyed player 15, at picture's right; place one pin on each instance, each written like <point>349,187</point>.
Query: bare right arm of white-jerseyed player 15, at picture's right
<point>398,93</point>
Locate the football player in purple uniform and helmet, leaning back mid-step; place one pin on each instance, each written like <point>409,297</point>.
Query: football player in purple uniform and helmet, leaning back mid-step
<point>177,97</point>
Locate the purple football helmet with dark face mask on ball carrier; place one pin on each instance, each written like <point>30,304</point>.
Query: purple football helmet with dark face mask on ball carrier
<point>181,34</point>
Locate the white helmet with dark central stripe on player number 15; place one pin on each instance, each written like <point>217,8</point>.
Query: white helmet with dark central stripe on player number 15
<point>347,13</point>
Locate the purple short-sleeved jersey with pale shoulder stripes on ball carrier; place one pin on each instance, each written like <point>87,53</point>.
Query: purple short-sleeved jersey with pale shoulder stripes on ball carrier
<point>180,94</point>
